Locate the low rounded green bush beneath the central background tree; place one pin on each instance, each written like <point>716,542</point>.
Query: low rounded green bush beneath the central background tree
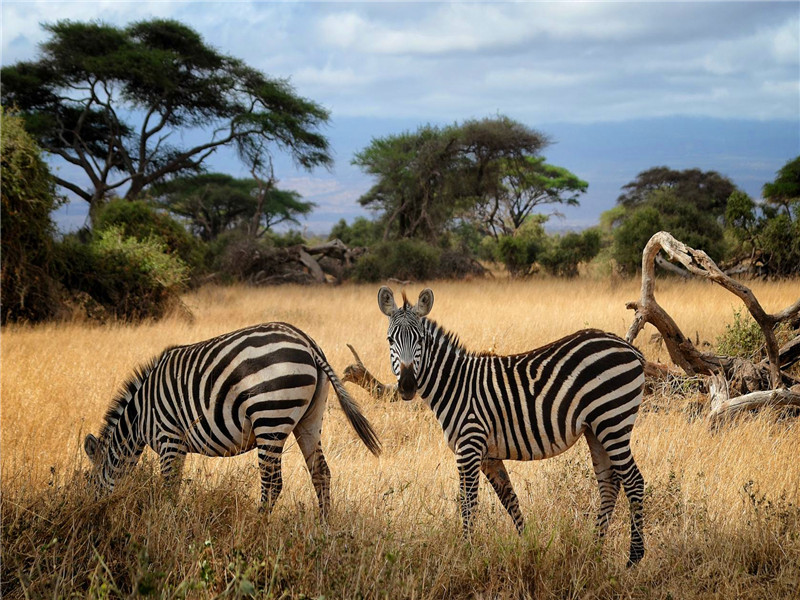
<point>401,259</point>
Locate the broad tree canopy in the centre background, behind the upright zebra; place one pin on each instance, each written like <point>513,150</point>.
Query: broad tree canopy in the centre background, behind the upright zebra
<point>428,177</point>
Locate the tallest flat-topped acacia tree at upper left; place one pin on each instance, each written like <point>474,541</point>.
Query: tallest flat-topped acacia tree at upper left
<point>111,101</point>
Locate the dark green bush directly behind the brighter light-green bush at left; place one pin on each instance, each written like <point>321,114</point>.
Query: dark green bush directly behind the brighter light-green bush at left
<point>139,220</point>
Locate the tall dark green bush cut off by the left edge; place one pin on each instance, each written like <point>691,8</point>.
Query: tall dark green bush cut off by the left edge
<point>28,197</point>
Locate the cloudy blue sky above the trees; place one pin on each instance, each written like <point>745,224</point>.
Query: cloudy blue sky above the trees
<point>619,86</point>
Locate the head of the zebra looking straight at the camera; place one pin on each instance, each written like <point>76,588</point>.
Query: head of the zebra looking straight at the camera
<point>406,337</point>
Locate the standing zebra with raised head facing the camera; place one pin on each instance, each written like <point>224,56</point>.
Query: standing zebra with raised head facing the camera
<point>526,406</point>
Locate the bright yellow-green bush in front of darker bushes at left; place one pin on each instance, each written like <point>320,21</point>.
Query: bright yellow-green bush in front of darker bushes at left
<point>132,279</point>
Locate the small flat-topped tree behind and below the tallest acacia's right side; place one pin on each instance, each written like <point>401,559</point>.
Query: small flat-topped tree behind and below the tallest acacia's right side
<point>215,202</point>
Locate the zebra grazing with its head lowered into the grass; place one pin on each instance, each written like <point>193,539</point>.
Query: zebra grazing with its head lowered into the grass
<point>245,389</point>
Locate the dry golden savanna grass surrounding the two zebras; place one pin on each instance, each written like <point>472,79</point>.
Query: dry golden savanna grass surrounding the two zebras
<point>721,508</point>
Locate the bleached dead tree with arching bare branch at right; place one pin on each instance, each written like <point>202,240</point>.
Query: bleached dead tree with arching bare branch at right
<point>741,376</point>
